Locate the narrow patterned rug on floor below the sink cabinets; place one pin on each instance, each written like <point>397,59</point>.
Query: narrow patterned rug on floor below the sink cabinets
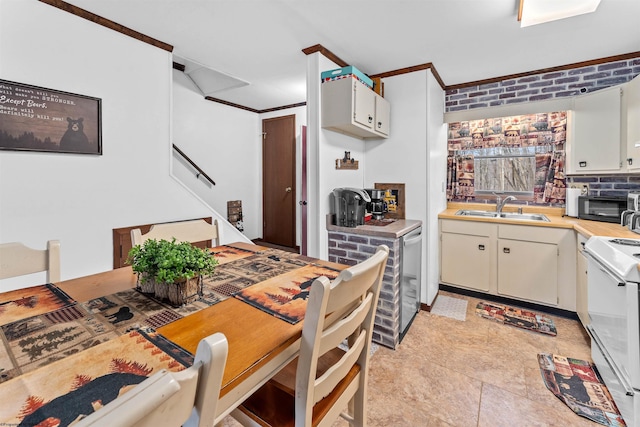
<point>517,317</point>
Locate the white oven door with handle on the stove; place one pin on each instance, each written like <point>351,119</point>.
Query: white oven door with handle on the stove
<point>613,310</point>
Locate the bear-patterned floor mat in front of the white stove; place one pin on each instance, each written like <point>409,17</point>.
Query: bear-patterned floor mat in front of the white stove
<point>578,384</point>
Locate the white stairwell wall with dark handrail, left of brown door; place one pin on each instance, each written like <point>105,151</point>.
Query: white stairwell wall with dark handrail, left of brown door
<point>225,142</point>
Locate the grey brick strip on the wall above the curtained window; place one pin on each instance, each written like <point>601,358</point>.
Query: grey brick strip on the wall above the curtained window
<point>538,87</point>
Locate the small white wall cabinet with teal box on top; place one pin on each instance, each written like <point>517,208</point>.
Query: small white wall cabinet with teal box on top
<point>351,107</point>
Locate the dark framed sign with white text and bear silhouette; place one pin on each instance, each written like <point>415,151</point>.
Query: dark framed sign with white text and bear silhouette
<point>37,119</point>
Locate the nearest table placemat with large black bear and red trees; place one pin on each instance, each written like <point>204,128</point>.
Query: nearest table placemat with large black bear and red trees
<point>86,381</point>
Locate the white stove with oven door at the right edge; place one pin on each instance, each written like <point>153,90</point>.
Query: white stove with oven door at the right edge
<point>614,305</point>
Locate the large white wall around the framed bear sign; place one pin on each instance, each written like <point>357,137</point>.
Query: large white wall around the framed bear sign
<point>79,199</point>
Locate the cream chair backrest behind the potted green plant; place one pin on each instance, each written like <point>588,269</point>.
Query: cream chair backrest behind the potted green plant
<point>183,231</point>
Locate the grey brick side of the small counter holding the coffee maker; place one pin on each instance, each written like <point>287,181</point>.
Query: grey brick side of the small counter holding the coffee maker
<point>350,249</point>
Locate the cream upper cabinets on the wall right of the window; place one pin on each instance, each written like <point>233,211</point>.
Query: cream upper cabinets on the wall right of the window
<point>604,136</point>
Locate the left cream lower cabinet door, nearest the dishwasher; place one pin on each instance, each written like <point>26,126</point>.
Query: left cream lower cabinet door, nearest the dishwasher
<point>465,260</point>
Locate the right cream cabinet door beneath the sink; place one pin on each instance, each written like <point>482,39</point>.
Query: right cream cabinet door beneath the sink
<point>528,270</point>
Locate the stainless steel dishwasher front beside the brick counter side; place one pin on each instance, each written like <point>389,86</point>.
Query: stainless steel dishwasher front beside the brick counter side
<point>410,278</point>
